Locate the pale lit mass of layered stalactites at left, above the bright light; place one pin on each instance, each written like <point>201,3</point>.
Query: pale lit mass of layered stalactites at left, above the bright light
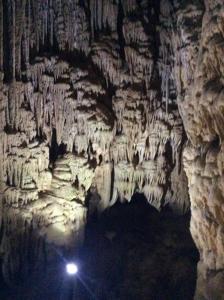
<point>56,96</point>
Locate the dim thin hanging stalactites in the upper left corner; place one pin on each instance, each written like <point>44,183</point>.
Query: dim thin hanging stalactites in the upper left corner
<point>34,24</point>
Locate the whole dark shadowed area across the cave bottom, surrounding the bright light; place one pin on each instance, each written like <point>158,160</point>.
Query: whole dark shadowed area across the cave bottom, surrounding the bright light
<point>131,252</point>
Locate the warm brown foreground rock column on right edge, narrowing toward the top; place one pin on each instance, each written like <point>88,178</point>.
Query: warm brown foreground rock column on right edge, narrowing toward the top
<point>202,111</point>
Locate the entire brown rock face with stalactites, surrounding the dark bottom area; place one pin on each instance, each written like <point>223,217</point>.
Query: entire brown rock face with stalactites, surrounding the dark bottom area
<point>97,95</point>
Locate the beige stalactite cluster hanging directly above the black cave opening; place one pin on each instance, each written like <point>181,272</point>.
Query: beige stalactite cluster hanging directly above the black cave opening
<point>139,152</point>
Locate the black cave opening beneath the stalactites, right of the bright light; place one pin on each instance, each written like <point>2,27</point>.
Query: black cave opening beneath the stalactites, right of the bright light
<point>134,252</point>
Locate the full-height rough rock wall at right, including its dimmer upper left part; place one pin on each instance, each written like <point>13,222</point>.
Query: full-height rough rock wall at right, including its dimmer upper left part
<point>198,44</point>
